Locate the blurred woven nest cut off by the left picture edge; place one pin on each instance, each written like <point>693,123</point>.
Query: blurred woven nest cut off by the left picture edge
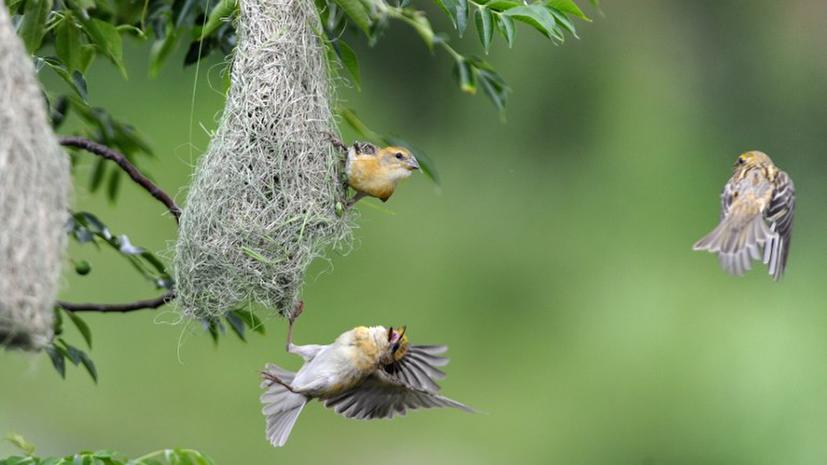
<point>34,188</point>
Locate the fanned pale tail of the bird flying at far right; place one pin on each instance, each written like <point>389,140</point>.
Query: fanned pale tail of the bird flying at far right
<point>737,242</point>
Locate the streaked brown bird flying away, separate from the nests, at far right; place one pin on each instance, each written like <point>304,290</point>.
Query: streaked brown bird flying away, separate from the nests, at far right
<point>756,223</point>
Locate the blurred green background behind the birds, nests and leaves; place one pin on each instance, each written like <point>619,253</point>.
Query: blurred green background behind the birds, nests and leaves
<point>555,260</point>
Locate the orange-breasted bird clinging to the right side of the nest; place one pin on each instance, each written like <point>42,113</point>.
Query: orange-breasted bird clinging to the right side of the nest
<point>375,172</point>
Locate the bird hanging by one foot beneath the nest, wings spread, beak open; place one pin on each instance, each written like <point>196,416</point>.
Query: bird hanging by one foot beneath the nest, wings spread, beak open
<point>366,373</point>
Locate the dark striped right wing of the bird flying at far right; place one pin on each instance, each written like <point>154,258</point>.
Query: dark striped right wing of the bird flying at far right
<point>779,215</point>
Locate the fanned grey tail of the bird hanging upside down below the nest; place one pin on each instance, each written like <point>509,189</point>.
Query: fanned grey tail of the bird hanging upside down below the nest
<point>281,407</point>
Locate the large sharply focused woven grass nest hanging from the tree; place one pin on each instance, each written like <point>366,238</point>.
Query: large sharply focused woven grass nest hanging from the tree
<point>263,202</point>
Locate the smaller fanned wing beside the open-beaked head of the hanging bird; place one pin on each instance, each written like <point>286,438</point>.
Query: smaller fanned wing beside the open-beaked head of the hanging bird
<point>418,368</point>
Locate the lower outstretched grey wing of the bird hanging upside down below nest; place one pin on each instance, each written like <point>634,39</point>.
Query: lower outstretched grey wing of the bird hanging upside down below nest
<point>379,396</point>
